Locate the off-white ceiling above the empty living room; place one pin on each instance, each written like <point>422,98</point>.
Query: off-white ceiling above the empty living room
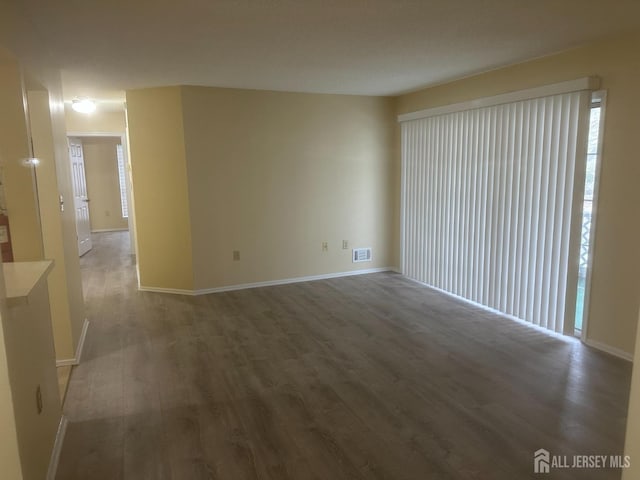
<point>372,47</point>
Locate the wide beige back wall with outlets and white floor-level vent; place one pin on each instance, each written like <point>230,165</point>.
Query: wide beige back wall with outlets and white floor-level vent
<point>274,175</point>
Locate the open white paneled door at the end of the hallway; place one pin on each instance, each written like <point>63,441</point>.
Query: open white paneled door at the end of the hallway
<point>80,197</point>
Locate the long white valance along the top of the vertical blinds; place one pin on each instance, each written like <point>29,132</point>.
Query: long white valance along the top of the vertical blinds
<point>585,83</point>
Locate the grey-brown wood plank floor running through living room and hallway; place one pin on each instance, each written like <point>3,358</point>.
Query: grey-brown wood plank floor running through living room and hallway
<point>365,377</point>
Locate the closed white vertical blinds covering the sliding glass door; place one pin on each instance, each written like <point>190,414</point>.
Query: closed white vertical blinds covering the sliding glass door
<point>488,199</point>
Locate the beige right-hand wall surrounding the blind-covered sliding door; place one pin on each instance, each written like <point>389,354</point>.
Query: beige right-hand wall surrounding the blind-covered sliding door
<point>616,259</point>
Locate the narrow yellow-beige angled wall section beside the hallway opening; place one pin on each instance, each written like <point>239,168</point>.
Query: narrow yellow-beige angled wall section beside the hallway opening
<point>159,175</point>
